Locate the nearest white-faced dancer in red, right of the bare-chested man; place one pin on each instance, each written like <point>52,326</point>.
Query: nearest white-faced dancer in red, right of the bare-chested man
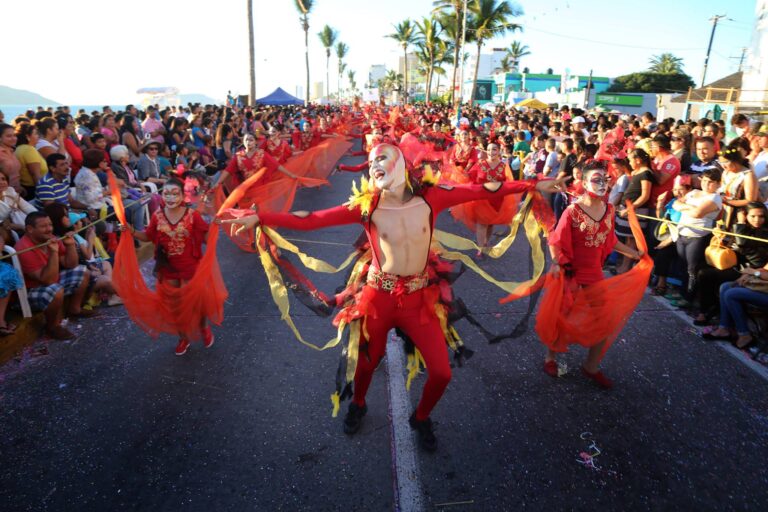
<point>579,305</point>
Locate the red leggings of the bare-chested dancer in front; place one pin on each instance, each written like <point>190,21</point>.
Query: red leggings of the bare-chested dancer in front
<point>405,312</point>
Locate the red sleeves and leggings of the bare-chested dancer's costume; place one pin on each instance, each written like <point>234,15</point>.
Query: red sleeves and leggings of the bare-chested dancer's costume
<point>384,309</point>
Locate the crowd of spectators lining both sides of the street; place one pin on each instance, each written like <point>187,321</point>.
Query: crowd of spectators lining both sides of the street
<point>702,174</point>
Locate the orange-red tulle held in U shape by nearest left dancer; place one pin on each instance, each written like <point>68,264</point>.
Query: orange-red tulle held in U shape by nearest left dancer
<point>177,311</point>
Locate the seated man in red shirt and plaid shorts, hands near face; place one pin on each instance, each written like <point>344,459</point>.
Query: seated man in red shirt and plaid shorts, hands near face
<point>47,283</point>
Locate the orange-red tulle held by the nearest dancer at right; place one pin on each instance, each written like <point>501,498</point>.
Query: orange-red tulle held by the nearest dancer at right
<point>592,314</point>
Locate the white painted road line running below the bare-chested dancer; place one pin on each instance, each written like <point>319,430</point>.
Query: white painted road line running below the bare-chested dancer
<point>409,496</point>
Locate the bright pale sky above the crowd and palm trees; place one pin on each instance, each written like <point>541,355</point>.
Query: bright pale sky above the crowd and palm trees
<point>111,48</point>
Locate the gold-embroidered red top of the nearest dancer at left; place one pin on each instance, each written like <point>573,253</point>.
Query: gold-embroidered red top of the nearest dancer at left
<point>182,243</point>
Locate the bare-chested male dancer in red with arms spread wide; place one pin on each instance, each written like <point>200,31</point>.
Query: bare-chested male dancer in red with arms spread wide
<point>399,225</point>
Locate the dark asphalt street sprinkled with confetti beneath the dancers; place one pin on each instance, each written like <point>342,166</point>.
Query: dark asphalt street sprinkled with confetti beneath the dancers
<point>115,421</point>
